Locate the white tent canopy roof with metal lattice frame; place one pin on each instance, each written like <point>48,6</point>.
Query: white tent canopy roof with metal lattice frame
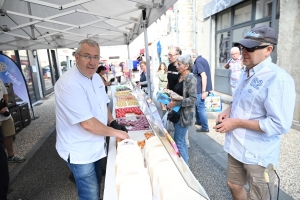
<point>48,24</point>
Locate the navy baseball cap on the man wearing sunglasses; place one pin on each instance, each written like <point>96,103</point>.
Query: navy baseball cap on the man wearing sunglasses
<point>258,35</point>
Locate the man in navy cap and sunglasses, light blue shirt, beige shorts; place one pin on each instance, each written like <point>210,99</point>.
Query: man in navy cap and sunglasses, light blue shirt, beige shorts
<point>261,112</point>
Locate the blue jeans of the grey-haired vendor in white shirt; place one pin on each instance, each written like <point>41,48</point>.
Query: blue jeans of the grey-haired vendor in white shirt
<point>88,179</point>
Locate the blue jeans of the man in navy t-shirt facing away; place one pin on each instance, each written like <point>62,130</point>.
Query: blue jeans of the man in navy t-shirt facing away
<point>201,117</point>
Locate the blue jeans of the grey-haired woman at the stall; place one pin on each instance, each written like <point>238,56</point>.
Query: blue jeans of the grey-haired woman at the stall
<point>179,138</point>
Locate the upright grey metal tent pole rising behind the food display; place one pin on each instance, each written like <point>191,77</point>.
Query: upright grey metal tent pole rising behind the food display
<point>147,53</point>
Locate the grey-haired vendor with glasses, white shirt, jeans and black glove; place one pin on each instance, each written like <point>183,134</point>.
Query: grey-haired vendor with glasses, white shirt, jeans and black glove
<point>83,119</point>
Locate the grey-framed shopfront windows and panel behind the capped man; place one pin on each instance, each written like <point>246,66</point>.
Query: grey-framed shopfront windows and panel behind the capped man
<point>232,22</point>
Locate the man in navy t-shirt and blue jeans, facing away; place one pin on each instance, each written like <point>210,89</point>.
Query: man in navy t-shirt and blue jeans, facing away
<point>201,71</point>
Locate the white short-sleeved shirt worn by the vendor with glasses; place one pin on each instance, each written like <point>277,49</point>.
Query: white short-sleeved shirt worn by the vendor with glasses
<point>79,98</point>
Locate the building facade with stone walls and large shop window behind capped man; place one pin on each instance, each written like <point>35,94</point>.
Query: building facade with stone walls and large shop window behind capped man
<point>223,22</point>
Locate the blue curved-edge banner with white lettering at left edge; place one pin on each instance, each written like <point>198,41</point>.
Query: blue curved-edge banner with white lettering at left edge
<point>10,73</point>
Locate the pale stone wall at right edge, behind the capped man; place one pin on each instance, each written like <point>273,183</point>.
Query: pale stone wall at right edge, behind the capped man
<point>288,44</point>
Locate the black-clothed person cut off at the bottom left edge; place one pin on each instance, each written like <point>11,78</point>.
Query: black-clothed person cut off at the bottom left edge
<point>4,180</point>
